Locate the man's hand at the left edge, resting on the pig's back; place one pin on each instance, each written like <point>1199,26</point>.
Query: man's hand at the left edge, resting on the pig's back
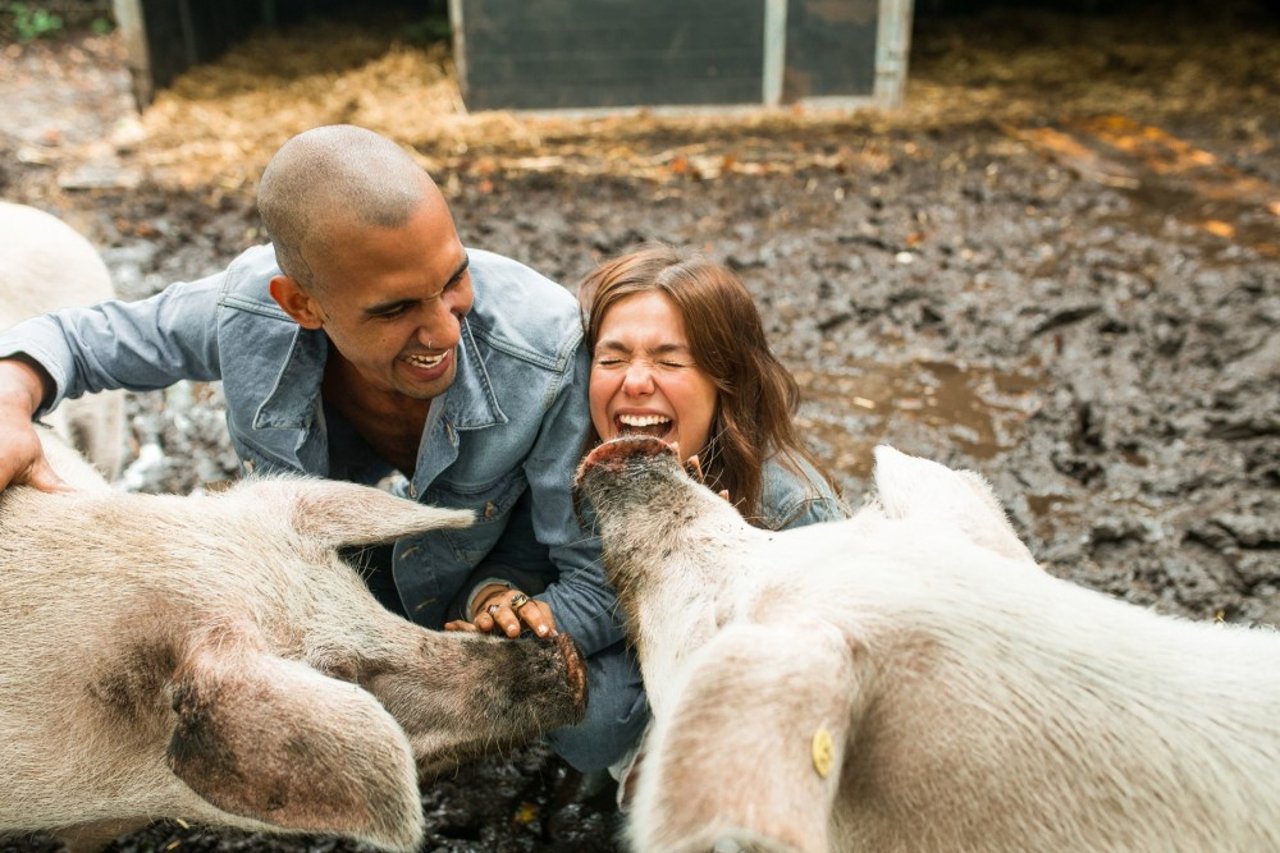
<point>22,459</point>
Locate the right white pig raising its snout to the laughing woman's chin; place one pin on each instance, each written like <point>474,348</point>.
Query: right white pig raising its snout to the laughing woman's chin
<point>907,681</point>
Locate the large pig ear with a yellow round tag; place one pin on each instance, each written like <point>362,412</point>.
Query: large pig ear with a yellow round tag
<point>752,750</point>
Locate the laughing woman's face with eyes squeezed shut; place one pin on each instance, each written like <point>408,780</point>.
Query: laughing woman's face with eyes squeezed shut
<point>644,380</point>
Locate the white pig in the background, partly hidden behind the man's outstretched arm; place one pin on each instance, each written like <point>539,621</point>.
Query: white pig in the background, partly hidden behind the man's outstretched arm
<point>47,266</point>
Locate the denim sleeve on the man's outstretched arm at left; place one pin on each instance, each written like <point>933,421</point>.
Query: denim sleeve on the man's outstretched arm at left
<point>140,346</point>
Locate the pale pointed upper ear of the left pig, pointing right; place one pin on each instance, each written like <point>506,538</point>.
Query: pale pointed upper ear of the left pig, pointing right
<point>340,514</point>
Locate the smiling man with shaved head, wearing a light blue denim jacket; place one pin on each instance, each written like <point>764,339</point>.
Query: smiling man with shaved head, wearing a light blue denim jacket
<point>367,344</point>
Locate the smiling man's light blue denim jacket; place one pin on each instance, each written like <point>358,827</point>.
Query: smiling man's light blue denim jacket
<point>514,422</point>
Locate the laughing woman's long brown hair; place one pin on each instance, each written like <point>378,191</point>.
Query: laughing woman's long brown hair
<point>757,395</point>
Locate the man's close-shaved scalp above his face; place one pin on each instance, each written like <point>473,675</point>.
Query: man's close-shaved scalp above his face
<point>330,175</point>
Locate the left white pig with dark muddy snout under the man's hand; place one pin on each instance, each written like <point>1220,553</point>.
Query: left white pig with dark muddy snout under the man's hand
<point>211,658</point>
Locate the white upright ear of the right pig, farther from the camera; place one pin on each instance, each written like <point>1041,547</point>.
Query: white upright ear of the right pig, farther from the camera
<point>918,489</point>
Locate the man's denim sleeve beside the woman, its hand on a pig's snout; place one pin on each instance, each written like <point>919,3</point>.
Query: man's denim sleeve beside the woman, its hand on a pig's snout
<point>582,600</point>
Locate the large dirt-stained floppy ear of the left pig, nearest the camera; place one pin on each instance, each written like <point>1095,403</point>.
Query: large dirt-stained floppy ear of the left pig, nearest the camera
<point>277,742</point>
